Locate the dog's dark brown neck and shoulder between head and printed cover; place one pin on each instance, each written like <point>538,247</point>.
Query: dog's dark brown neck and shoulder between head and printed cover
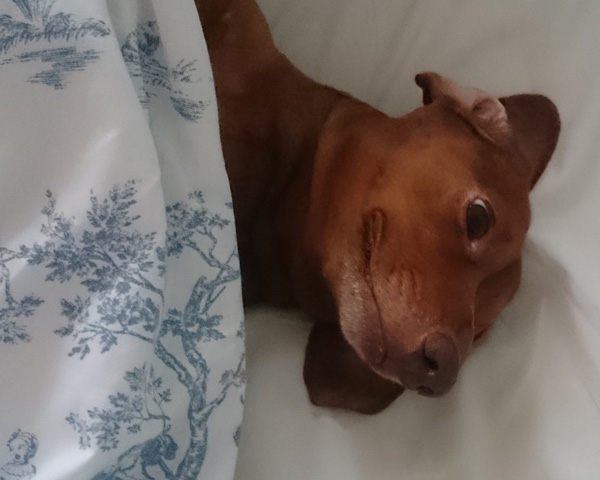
<point>276,115</point>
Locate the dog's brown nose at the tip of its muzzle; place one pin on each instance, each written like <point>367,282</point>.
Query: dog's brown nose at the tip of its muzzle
<point>442,361</point>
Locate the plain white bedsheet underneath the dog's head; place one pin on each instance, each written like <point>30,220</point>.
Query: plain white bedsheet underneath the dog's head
<point>527,404</point>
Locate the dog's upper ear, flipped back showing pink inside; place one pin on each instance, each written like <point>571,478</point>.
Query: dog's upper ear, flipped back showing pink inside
<point>527,123</point>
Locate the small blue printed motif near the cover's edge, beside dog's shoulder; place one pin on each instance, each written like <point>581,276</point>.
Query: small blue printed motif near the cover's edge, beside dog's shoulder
<point>151,77</point>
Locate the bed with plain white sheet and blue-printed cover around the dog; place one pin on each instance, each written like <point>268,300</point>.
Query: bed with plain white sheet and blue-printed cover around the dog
<point>125,351</point>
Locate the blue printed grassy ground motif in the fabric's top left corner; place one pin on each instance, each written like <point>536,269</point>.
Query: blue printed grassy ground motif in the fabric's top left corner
<point>39,24</point>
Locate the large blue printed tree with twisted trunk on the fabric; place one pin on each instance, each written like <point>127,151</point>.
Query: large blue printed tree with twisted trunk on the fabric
<point>117,265</point>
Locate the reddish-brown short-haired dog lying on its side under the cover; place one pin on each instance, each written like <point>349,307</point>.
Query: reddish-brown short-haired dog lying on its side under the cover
<point>402,237</point>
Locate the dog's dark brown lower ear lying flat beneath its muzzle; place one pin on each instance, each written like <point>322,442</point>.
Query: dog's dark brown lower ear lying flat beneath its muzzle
<point>336,377</point>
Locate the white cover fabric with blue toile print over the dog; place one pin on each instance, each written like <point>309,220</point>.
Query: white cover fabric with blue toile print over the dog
<point>121,334</point>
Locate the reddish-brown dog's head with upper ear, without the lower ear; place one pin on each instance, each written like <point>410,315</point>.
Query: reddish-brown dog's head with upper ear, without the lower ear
<point>418,223</point>
